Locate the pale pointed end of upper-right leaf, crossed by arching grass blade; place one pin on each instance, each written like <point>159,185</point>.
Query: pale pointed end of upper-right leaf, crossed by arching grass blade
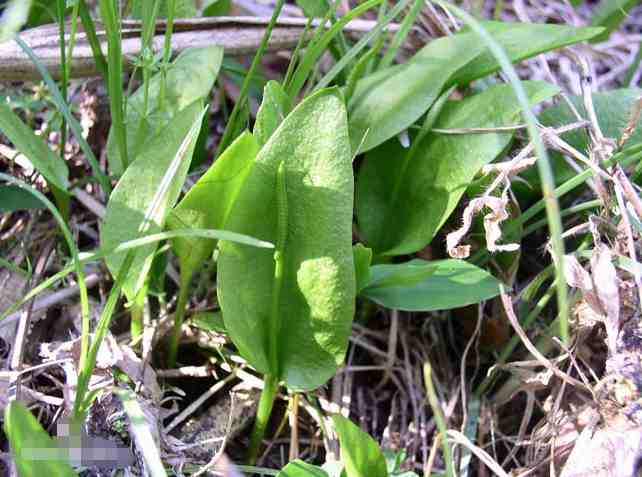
<point>521,41</point>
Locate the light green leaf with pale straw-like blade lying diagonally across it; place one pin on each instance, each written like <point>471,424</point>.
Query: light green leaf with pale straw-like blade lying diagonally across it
<point>131,199</point>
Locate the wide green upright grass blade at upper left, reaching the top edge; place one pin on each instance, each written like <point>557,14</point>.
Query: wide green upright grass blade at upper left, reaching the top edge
<point>111,21</point>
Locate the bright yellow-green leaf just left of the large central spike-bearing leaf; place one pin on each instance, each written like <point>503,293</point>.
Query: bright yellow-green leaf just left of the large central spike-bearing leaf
<point>209,202</point>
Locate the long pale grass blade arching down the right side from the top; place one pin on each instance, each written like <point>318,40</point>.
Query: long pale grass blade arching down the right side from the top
<point>545,171</point>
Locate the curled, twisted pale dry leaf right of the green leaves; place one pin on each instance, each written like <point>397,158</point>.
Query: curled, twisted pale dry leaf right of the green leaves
<point>499,213</point>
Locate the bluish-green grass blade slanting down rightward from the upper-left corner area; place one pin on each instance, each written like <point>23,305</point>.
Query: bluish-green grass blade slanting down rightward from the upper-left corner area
<point>62,106</point>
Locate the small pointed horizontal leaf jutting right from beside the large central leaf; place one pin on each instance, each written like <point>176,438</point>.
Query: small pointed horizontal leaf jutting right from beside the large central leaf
<point>419,285</point>
